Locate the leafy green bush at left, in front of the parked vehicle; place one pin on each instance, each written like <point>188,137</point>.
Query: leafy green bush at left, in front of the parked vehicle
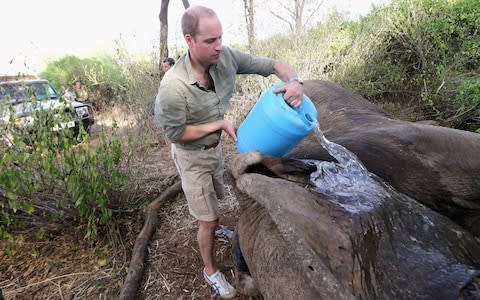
<point>54,176</point>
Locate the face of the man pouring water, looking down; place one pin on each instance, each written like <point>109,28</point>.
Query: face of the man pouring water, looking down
<point>206,47</point>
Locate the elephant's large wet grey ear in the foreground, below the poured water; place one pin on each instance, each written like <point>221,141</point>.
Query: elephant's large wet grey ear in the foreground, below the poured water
<point>297,243</point>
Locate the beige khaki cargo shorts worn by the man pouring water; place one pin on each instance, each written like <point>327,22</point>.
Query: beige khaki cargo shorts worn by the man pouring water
<point>201,172</point>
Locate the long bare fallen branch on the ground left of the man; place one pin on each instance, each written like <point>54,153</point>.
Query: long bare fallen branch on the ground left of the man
<point>136,268</point>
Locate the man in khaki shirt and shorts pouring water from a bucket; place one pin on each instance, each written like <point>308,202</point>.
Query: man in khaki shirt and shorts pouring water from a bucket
<point>190,106</point>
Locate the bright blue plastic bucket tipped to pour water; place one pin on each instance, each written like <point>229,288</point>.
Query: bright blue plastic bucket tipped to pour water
<point>273,127</point>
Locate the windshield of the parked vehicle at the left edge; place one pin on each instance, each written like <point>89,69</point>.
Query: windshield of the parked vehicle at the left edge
<point>26,91</point>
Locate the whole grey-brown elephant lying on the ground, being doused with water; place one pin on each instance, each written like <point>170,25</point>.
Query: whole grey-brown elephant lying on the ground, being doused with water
<point>296,242</point>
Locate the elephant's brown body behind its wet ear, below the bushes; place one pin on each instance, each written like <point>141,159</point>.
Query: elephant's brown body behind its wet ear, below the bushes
<point>438,166</point>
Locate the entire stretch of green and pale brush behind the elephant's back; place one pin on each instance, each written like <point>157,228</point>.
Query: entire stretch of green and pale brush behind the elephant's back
<point>422,54</point>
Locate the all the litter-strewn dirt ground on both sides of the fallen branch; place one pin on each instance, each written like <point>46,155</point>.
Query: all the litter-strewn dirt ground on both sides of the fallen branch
<point>63,266</point>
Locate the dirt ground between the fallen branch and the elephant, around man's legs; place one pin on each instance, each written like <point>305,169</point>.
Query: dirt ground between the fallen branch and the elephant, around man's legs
<point>174,266</point>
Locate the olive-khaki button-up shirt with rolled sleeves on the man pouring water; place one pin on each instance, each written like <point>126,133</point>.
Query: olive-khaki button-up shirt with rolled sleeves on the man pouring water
<point>181,101</point>
